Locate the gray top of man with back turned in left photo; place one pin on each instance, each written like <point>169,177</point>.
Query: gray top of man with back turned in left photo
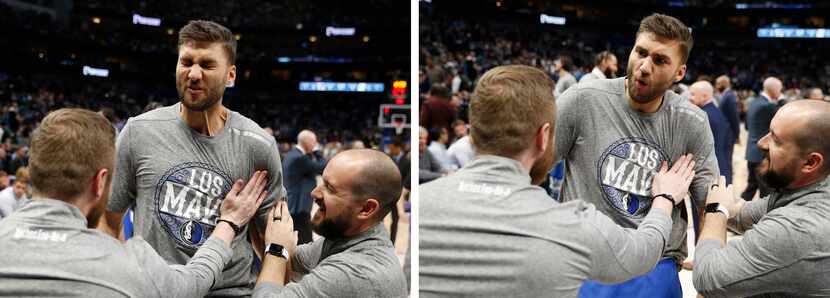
<point>47,250</point>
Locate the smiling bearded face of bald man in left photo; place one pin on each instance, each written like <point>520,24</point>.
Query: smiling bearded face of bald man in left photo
<point>337,208</point>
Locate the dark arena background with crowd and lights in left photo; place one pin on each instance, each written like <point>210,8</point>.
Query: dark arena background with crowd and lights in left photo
<point>338,68</point>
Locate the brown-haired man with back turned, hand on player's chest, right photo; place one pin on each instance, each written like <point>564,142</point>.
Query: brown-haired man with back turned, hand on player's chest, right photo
<point>488,230</point>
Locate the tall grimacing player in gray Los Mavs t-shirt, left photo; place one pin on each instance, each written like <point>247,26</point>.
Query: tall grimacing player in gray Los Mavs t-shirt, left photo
<point>175,164</point>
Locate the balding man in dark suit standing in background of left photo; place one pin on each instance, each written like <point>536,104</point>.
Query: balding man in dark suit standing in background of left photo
<point>301,166</point>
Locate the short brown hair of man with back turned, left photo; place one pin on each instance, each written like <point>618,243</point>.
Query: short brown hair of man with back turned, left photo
<point>69,147</point>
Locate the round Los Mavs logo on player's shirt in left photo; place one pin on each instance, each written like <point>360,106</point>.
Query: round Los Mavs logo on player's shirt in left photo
<point>188,197</point>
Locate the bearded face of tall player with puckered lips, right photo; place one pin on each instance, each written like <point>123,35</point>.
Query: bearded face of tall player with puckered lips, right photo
<point>653,66</point>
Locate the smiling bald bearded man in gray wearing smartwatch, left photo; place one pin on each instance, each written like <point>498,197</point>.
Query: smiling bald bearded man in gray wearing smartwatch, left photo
<point>354,257</point>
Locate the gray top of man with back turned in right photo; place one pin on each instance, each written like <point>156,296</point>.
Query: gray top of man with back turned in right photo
<point>486,231</point>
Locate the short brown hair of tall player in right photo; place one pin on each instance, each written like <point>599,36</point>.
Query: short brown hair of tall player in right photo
<point>670,28</point>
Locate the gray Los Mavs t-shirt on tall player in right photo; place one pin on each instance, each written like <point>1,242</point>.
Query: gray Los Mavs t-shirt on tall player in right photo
<point>612,152</point>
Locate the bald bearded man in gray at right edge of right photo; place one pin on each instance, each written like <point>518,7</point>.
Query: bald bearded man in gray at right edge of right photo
<point>785,248</point>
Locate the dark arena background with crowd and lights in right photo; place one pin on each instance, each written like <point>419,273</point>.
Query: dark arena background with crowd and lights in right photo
<point>746,41</point>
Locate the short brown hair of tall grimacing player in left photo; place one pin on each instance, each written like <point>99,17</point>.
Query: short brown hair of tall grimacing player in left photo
<point>200,31</point>
